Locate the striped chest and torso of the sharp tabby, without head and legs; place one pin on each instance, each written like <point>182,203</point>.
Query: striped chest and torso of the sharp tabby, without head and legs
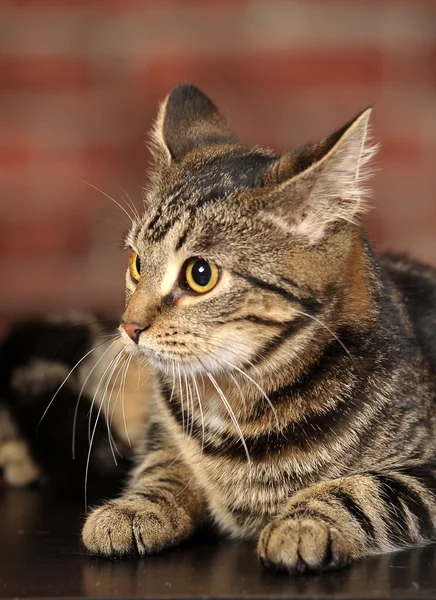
<point>352,426</point>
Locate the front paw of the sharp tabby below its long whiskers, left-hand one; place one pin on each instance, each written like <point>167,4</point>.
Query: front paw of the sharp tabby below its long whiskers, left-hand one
<point>127,526</point>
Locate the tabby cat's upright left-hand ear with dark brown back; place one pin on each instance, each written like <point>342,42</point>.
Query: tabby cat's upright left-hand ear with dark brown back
<point>188,120</point>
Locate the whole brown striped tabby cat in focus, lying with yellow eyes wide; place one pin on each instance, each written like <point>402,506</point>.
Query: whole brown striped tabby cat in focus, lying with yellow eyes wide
<point>296,370</point>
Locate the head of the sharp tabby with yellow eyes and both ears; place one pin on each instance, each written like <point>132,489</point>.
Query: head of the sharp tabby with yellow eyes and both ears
<point>238,249</point>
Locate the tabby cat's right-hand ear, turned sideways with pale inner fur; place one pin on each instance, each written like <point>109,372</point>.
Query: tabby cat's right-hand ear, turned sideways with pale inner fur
<point>322,183</point>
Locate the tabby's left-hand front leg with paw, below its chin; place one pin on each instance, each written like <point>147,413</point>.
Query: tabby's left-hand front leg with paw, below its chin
<point>160,508</point>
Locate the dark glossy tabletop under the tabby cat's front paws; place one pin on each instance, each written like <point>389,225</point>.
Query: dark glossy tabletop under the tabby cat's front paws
<point>41,556</point>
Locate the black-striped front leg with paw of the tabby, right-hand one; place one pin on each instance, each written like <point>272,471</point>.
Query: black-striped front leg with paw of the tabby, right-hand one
<point>332,523</point>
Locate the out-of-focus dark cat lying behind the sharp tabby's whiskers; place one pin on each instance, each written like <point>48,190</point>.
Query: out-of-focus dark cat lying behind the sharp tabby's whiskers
<point>45,427</point>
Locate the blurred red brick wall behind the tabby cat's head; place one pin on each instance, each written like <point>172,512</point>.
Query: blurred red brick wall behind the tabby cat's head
<point>80,83</point>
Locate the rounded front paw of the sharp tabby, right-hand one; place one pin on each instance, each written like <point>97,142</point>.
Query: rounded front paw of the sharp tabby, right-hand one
<point>303,544</point>
